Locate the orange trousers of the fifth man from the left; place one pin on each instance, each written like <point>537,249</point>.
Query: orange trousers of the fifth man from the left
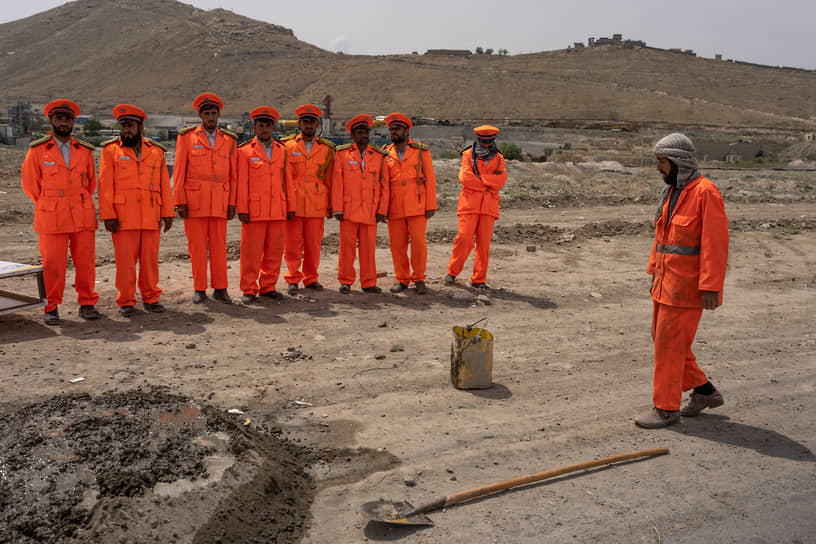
<point>304,236</point>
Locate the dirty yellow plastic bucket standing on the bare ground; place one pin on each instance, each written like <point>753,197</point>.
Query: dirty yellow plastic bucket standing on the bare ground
<point>472,358</point>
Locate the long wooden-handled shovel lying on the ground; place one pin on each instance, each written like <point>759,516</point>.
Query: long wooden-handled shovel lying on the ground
<point>403,513</point>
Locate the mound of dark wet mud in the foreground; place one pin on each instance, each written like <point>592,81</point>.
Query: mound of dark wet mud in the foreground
<point>81,467</point>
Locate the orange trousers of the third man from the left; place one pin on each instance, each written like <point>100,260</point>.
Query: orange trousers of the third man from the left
<point>207,235</point>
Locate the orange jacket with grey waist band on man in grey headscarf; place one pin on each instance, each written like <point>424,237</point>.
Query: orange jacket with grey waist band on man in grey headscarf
<point>690,251</point>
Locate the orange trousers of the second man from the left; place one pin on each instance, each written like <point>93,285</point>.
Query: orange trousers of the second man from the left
<point>129,247</point>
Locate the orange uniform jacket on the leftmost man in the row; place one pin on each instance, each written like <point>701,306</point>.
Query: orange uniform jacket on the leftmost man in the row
<point>63,195</point>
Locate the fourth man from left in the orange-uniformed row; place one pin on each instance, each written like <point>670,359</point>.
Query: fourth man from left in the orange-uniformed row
<point>266,199</point>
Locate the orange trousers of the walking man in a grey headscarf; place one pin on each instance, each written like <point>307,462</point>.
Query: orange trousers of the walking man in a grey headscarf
<point>676,369</point>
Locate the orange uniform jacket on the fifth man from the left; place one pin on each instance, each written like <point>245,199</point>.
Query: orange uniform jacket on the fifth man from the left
<point>312,173</point>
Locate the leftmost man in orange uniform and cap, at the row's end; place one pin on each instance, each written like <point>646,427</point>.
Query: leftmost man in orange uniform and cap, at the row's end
<point>58,175</point>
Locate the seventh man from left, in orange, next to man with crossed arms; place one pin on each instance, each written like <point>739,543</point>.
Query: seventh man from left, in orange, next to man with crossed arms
<point>413,202</point>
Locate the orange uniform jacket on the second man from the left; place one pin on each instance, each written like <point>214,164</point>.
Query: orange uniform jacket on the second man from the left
<point>137,193</point>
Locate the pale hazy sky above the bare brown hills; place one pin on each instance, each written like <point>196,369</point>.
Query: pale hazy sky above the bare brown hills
<point>780,32</point>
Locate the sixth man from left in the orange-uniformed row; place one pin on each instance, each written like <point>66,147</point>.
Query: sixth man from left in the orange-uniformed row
<point>359,201</point>
